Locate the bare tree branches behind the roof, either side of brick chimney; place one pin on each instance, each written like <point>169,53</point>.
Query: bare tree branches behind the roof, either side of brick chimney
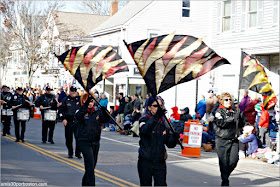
<point>100,7</point>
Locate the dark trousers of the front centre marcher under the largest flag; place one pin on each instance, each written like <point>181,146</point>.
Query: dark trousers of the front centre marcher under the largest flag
<point>148,169</point>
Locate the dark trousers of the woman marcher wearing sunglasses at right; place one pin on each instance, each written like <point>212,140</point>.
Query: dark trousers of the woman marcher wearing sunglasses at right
<point>227,151</point>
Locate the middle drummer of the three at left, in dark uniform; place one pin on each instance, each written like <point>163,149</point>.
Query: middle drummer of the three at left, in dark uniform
<point>19,101</point>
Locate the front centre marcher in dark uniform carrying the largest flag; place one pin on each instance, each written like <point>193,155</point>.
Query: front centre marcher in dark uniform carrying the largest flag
<point>154,135</point>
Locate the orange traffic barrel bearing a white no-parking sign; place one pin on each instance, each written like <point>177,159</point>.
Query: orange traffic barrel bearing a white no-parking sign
<point>192,139</point>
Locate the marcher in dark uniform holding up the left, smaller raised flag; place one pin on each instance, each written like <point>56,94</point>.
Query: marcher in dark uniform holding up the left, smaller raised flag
<point>88,135</point>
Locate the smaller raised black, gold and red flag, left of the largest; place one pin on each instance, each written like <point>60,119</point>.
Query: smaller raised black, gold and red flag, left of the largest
<point>90,64</point>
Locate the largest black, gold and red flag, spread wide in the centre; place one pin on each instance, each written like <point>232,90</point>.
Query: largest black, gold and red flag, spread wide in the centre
<point>168,60</point>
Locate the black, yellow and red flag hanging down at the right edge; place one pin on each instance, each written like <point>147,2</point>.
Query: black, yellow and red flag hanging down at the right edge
<point>253,77</point>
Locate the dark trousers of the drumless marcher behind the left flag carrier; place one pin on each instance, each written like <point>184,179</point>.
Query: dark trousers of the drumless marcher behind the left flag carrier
<point>69,132</point>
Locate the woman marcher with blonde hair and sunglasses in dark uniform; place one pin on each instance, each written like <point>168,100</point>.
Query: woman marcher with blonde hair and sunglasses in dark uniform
<point>226,136</point>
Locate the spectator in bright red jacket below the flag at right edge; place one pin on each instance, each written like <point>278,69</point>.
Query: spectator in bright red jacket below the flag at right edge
<point>263,127</point>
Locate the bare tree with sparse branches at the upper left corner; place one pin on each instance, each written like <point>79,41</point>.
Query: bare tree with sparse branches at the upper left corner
<point>25,21</point>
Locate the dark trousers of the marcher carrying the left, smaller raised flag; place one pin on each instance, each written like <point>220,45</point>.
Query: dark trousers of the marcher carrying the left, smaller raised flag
<point>90,154</point>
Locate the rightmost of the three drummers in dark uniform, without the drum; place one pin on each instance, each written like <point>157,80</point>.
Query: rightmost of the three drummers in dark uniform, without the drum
<point>46,102</point>
